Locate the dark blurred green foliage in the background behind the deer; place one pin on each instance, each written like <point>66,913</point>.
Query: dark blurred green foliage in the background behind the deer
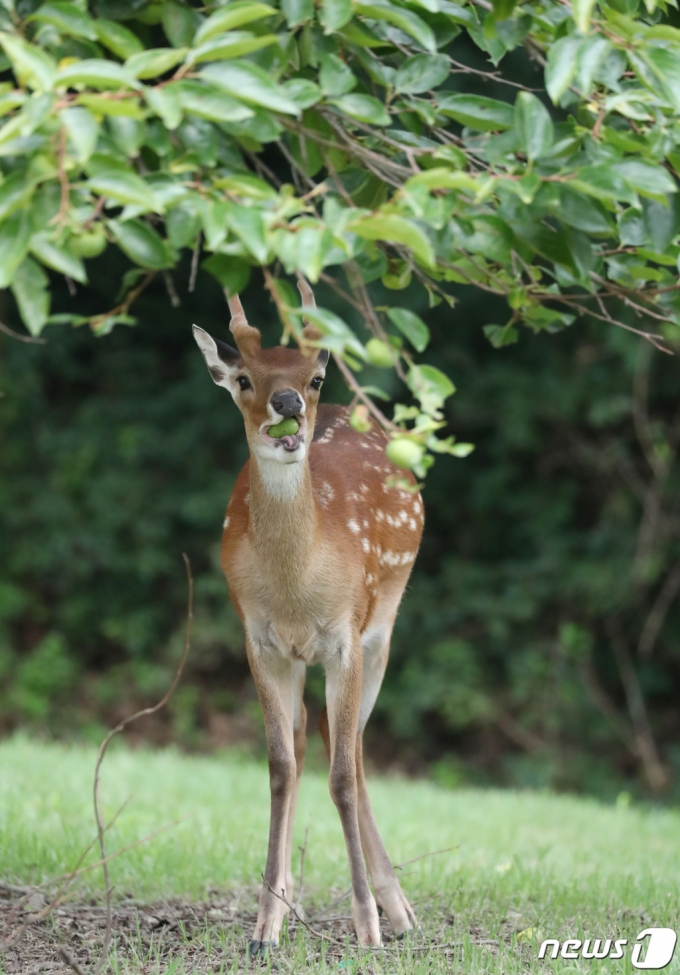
<point>539,640</point>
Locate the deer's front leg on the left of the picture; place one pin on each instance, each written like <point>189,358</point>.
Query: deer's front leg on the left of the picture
<point>276,687</point>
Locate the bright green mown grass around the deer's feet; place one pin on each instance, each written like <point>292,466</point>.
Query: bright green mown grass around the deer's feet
<point>526,866</point>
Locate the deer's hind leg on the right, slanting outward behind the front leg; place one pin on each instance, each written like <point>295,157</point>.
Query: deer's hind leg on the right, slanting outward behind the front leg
<point>388,892</point>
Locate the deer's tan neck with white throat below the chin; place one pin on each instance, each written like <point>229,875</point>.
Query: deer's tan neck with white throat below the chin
<point>282,517</point>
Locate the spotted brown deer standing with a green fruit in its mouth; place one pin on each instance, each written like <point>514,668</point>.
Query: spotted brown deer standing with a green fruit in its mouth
<point>317,549</point>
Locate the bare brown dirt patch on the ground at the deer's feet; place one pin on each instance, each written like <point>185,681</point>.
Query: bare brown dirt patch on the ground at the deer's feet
<point>208,936</point>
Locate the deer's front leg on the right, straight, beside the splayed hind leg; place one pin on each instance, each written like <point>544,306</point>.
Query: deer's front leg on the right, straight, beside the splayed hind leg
<point>343,700</point>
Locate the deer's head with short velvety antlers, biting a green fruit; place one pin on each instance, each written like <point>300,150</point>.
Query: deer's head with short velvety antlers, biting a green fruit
<point>268,385</point>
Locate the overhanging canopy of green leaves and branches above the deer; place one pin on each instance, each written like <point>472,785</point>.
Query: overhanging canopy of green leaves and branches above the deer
<point>152,126</point>
